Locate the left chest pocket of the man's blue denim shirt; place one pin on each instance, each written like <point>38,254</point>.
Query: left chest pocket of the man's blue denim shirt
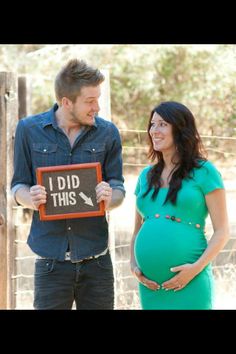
<point>45,154</point>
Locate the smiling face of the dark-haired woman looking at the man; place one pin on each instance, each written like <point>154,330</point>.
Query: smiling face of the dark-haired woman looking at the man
<point>161,134</point>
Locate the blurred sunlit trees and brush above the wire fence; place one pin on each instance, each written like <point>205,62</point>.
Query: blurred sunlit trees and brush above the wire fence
<point>203,77</point>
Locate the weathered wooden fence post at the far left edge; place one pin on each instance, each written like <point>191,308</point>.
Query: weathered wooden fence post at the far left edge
<point>8,121</point>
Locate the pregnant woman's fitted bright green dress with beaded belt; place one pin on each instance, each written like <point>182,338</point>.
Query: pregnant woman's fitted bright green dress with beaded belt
<point>173,235</point>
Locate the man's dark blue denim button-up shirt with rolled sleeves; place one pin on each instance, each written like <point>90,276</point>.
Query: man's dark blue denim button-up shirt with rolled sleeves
<point>40,142</point>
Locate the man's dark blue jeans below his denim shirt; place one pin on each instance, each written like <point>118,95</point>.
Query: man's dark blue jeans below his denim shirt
<point>89,283</point>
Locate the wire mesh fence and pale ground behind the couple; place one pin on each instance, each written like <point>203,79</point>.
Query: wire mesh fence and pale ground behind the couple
<point>221,152</point>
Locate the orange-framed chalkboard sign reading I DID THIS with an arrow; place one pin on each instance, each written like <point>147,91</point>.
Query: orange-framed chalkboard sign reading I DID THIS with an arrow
<point>70,191</point>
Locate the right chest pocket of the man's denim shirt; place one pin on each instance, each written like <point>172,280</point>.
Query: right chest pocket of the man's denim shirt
<point>92,152</point>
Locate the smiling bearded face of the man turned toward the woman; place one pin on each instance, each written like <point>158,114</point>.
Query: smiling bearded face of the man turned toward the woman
<point>86,106</point>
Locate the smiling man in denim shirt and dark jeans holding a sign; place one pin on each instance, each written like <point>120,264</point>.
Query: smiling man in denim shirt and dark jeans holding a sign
<point>73,261</point>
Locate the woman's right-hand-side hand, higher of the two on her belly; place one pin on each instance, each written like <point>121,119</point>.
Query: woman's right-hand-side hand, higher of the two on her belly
<point>186,273</point>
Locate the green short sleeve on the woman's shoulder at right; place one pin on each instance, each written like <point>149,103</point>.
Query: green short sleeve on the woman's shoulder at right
<point>209,178</point>
